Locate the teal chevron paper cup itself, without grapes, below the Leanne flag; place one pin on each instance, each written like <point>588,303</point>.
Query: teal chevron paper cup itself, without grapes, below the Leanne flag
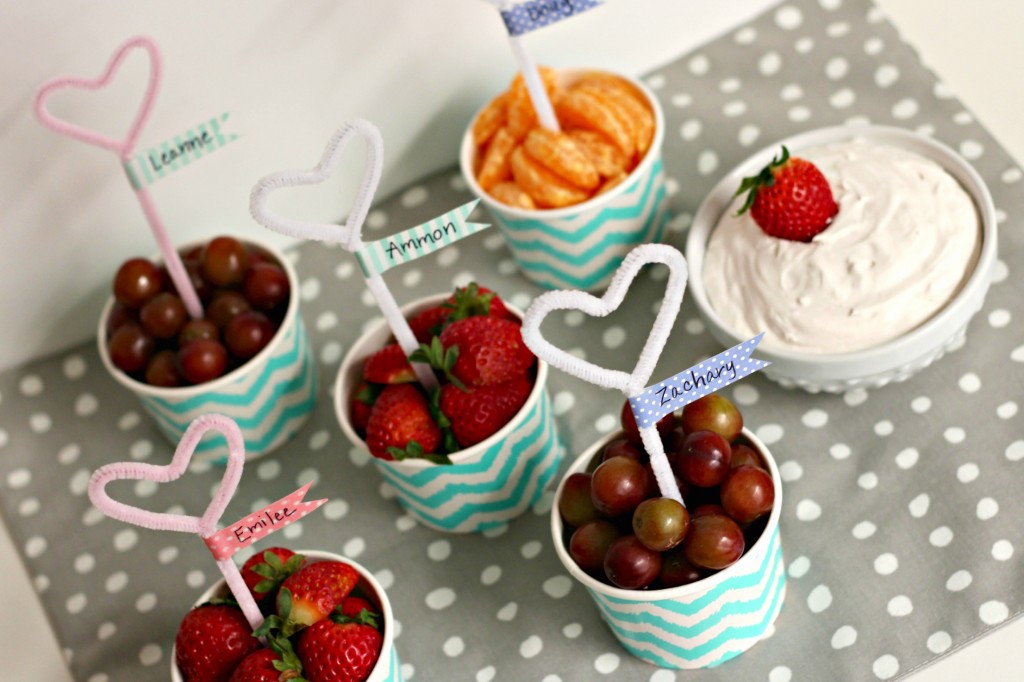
<point>271,397</point>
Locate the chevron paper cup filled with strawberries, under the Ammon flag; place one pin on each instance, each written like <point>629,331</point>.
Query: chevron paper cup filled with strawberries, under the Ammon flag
<point>478,451</point>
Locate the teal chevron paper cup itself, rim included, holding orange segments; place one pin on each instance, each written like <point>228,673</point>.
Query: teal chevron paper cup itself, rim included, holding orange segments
<point>581,246</point>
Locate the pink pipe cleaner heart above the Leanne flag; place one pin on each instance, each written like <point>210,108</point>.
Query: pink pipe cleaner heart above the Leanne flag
<point>122,147</point>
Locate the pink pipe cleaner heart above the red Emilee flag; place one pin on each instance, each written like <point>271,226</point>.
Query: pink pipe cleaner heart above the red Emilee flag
<point>206,525</point>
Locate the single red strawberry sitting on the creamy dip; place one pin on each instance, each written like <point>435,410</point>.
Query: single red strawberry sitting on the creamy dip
<point>790,199</point>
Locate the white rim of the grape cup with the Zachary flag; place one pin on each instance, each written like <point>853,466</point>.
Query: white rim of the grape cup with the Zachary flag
<point>696,588</point>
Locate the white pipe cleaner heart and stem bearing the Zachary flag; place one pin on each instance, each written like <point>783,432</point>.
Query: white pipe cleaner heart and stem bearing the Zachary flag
<point>630,383</point>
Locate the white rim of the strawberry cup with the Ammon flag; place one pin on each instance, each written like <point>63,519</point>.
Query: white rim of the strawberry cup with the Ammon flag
<point>362,350</point>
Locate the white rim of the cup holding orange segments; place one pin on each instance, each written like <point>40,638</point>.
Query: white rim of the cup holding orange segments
<point>467,153</point>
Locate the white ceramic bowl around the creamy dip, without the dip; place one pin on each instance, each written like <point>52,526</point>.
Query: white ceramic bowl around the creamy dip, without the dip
<point>890,362</point>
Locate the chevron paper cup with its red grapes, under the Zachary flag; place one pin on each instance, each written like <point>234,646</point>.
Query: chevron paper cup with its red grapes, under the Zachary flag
<point>680,586</point>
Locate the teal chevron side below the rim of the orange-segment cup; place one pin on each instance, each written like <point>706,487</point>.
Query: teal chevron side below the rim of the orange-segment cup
<point>583,251</point>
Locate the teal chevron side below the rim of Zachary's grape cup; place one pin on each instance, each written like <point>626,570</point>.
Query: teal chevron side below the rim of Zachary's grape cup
<point>706,629</point>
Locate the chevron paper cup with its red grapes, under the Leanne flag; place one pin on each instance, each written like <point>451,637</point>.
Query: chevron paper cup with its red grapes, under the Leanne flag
<point>248,357</point>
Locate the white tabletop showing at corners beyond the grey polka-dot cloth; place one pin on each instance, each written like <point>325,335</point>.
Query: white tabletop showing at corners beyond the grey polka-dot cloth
<point>960,41</point>
